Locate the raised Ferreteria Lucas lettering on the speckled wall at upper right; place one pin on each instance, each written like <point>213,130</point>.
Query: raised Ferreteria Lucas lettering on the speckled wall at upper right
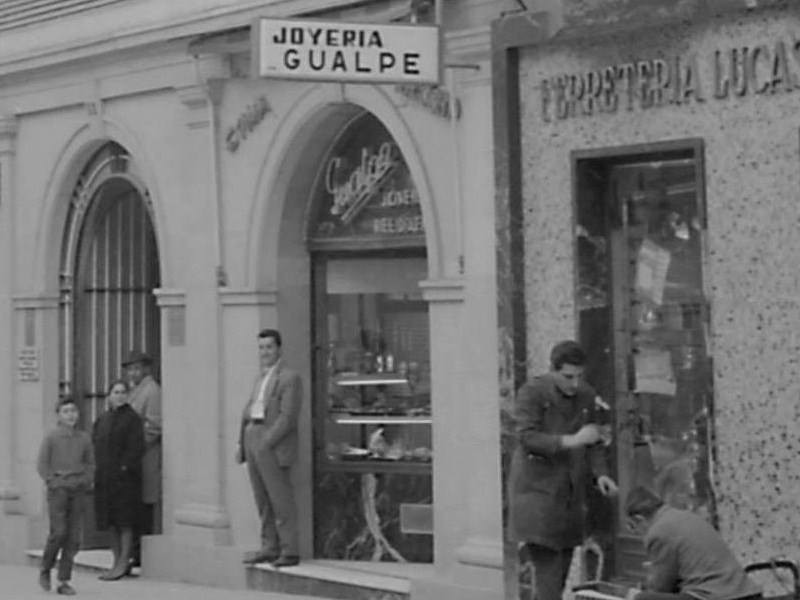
<point>679,80</point>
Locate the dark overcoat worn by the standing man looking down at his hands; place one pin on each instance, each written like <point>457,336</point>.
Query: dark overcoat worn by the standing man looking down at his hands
<point>547,482</point>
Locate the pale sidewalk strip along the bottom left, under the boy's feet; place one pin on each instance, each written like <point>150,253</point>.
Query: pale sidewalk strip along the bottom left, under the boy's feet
<point>21,583</point>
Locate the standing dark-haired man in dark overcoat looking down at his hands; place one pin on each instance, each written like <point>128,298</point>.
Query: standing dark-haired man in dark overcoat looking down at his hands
<point>557,432</point>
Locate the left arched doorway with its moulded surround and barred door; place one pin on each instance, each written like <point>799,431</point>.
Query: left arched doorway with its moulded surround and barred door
<point>109,269</point>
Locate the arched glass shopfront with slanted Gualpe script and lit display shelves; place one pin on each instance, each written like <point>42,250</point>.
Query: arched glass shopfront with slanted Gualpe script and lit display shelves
<point>371,407</point>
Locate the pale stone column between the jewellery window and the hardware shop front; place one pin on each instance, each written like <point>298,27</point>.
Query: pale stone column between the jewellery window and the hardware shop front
<point>467,549</point>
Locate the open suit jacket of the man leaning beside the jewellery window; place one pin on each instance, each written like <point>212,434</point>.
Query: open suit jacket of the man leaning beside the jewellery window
<point>283,398</point>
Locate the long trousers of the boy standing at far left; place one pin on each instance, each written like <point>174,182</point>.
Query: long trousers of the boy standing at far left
<point>65,507</point>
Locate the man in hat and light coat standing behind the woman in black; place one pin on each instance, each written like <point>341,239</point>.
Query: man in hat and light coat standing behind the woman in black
<point>145,398</point>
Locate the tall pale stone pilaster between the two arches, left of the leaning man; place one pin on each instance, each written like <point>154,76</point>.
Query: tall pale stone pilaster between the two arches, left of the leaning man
<point>200,511</point>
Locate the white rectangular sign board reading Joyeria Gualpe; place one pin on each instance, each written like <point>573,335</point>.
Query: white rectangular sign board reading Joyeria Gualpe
<point>356,52</point>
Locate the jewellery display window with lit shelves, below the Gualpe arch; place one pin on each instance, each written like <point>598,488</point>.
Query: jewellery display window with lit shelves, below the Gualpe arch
<point>377,370</point>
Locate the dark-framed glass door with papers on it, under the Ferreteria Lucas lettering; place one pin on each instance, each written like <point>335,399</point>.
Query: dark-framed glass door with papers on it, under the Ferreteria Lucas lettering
<point>644,320</point>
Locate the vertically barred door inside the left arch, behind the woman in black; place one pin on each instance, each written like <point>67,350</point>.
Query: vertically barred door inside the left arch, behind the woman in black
<point>114,306</point>
